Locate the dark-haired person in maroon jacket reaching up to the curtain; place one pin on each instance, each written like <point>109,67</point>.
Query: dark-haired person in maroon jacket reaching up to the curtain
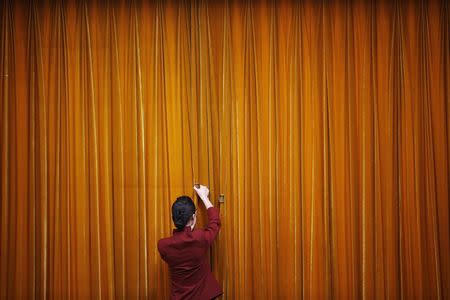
<point>186,250</point>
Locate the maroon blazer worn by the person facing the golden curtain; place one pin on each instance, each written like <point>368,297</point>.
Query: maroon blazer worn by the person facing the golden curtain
<point>186,254</point>
